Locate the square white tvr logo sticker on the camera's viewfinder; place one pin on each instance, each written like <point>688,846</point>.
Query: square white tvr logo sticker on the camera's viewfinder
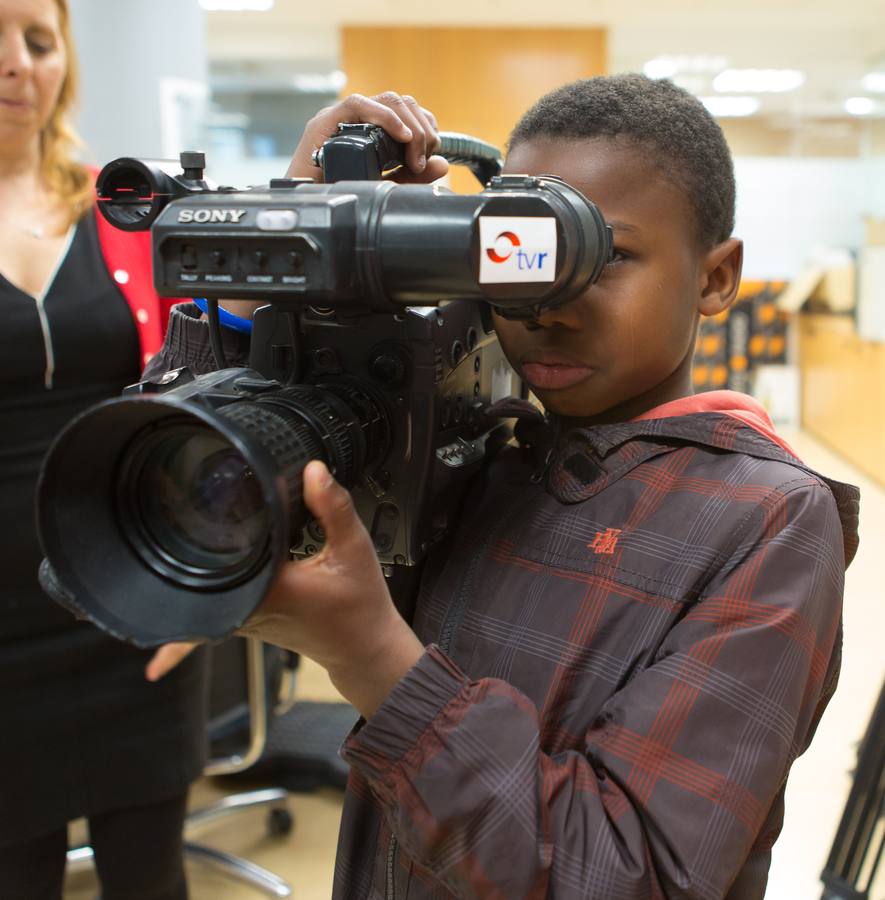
<point>517,248</point>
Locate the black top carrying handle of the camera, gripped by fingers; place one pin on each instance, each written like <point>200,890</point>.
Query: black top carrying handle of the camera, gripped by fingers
<point>360,152</point>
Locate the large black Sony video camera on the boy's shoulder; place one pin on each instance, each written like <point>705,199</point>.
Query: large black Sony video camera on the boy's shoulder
<point>166,513</point>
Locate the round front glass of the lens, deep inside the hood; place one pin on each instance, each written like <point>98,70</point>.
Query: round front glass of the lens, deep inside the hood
<point>192,506</point>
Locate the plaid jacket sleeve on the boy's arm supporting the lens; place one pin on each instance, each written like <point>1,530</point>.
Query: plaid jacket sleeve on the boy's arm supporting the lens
<point>678,772</point>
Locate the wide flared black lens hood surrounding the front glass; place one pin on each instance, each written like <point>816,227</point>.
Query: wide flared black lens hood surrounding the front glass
<point>78,519</point>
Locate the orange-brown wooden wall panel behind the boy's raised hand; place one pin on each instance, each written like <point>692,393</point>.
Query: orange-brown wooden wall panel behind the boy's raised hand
<point>475,80</point>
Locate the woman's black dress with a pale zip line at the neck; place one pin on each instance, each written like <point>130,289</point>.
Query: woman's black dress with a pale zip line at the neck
<point>81,730</point>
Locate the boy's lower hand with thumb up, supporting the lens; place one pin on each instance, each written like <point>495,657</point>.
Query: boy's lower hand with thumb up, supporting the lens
<point>335,607</point>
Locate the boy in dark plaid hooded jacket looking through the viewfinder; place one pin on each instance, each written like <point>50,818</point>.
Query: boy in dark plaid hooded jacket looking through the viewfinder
<point>635,629</point>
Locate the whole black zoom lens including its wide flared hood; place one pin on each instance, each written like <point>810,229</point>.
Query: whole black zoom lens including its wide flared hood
<point>191,510</point>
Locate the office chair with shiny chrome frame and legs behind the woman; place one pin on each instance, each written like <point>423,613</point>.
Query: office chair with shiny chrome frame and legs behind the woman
<point>259,669</point>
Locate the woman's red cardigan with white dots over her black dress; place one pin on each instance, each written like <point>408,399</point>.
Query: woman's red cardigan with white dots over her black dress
<point>127,255</point>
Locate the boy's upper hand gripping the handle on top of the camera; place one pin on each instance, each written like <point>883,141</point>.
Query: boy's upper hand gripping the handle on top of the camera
<point>398,114</point>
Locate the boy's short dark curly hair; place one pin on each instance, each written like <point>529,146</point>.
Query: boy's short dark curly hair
<point>687,142</point>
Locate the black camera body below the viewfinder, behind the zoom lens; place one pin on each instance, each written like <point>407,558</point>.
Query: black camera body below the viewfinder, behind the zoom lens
<point>423,378</point>
